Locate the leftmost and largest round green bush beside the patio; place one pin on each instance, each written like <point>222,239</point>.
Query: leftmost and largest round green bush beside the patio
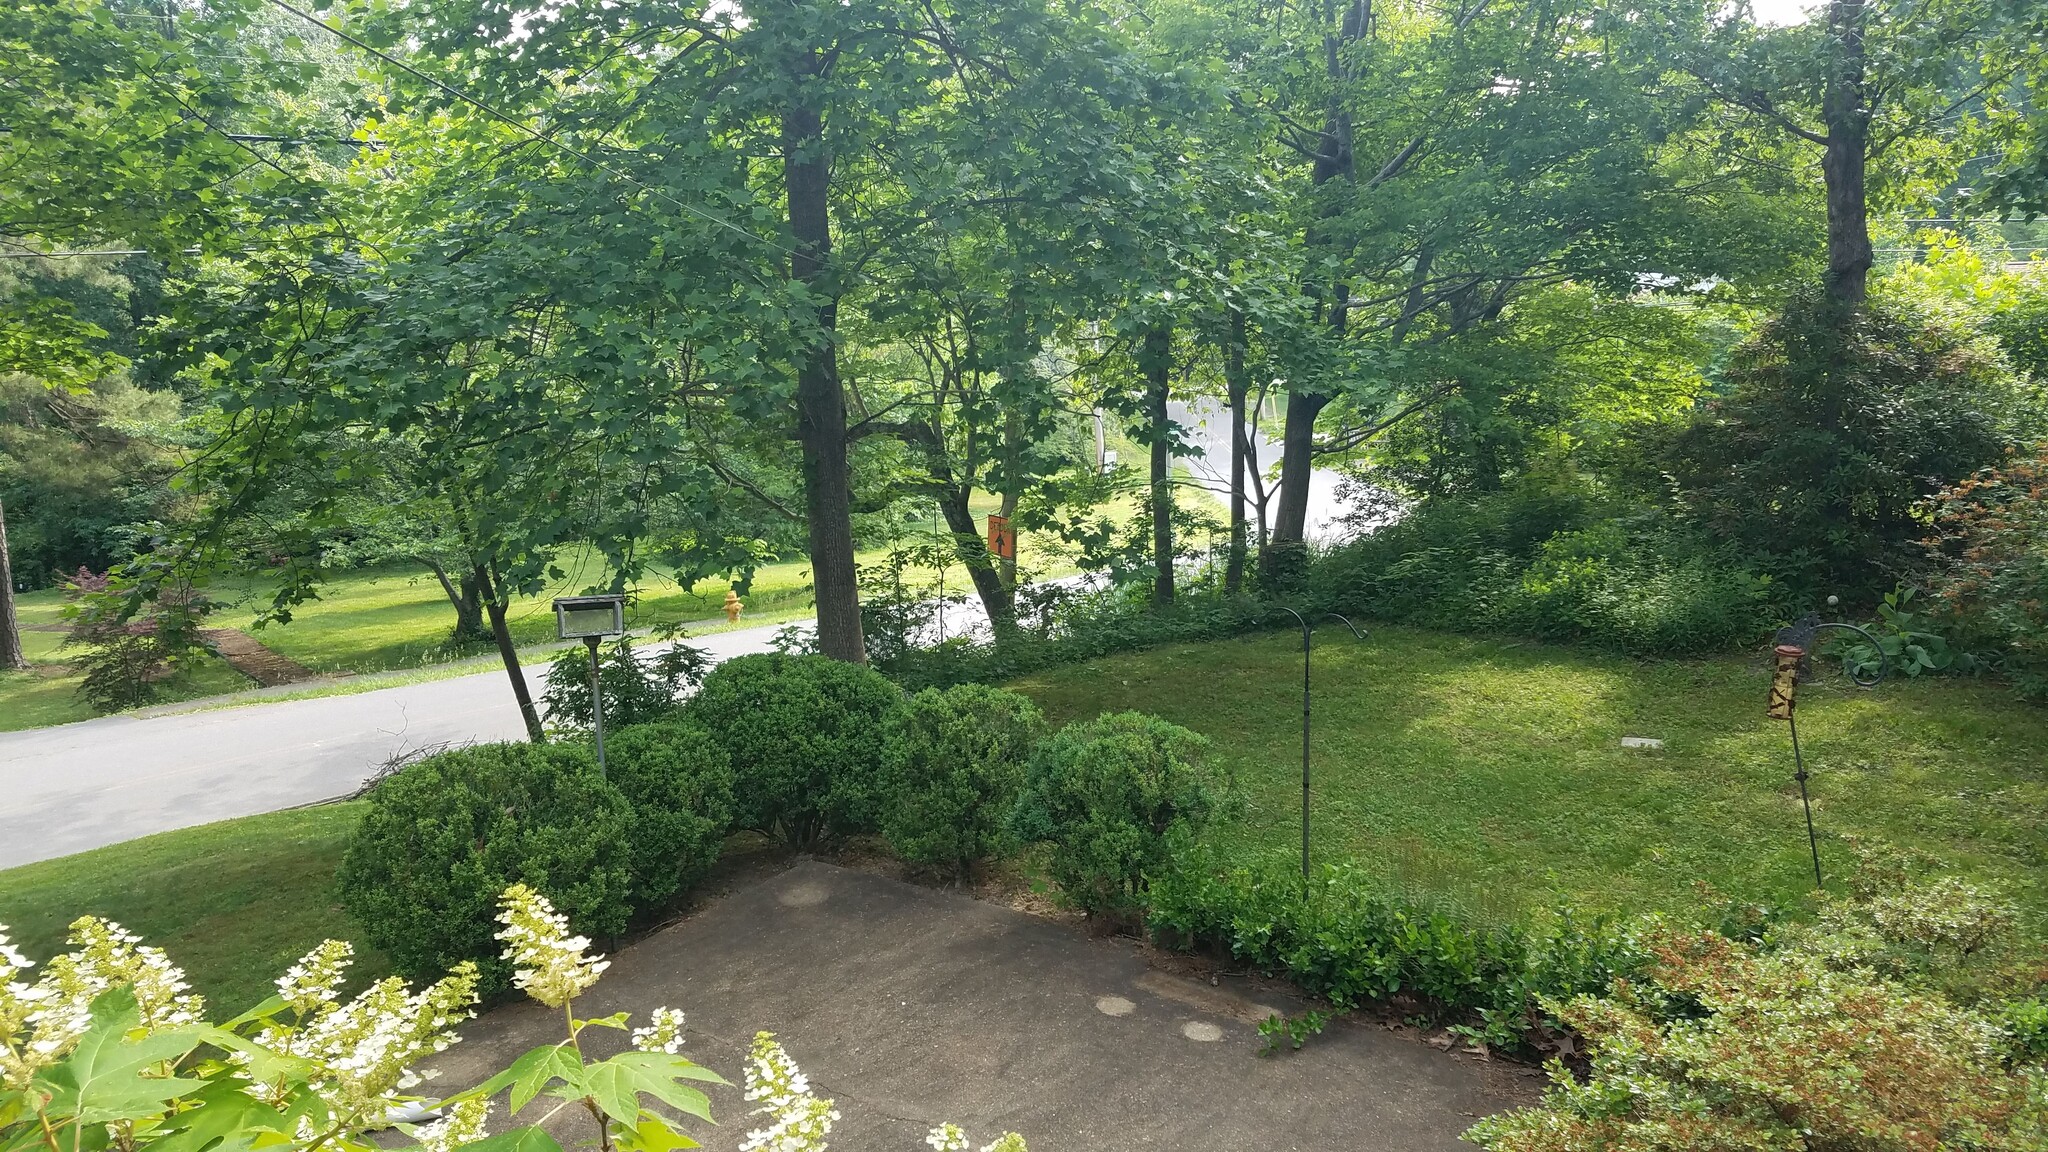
<point>445,837</point>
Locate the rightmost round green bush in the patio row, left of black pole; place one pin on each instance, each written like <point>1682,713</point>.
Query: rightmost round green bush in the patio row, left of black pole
<point>1113,798</point>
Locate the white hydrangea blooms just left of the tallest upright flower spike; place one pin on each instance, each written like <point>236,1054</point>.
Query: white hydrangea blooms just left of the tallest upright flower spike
<point>366,1048</point>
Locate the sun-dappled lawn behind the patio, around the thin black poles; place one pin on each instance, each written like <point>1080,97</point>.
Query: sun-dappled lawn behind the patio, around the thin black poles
<point>1492,772</point>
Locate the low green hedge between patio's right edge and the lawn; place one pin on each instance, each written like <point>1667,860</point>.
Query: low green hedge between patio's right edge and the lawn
<point>1351,940</point>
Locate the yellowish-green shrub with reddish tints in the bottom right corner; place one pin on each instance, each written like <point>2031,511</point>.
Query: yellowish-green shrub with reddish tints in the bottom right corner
<point>1775,1051</point>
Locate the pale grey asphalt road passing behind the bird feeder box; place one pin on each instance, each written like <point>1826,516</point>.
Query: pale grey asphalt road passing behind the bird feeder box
<point>101,782</point>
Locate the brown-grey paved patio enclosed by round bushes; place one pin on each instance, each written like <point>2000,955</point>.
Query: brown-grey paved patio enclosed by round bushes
<point>916,1007</point>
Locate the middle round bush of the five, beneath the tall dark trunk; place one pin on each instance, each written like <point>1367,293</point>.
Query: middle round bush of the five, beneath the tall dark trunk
<point>806,741</point>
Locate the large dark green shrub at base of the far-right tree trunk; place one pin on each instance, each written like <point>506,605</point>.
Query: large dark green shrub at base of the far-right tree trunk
<point>1834,434</point>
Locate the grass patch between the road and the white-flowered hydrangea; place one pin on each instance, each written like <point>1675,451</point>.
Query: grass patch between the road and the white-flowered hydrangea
<point>232,903</point>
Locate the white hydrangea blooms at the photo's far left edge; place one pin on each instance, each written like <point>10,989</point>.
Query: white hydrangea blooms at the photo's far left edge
<point>42,1022</point>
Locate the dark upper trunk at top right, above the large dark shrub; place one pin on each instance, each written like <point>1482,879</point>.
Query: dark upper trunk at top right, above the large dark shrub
<point>1846,112</point>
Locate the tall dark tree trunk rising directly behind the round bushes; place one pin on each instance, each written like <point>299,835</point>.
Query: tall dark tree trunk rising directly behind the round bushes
<point>820,399</point>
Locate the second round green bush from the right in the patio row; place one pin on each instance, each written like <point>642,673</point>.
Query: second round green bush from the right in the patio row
<point>955,764</point>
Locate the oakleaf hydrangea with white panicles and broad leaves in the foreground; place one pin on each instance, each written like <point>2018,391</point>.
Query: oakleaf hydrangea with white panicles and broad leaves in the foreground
<point>110,1053</point>
